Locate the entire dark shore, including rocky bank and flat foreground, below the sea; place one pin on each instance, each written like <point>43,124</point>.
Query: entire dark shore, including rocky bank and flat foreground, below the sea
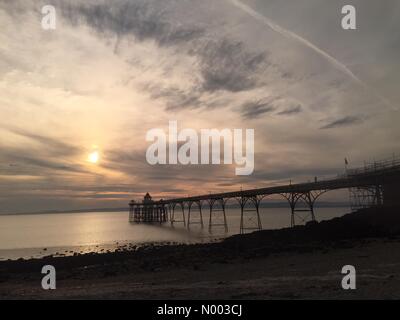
<point>299,263</point>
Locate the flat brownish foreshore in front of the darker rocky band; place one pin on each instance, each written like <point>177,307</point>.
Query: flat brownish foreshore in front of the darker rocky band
<point>286,275</point>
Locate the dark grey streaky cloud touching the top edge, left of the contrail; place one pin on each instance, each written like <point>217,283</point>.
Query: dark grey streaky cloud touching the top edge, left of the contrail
<point>127,18</point>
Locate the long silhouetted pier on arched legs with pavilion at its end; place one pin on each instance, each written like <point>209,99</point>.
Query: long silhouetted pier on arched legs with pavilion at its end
<point>376,184</point>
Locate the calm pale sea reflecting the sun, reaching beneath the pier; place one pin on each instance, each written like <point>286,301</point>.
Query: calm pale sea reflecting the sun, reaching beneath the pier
<point>27,236</point>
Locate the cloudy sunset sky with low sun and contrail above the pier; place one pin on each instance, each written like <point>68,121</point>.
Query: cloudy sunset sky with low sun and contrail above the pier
<point>112,70</point>
